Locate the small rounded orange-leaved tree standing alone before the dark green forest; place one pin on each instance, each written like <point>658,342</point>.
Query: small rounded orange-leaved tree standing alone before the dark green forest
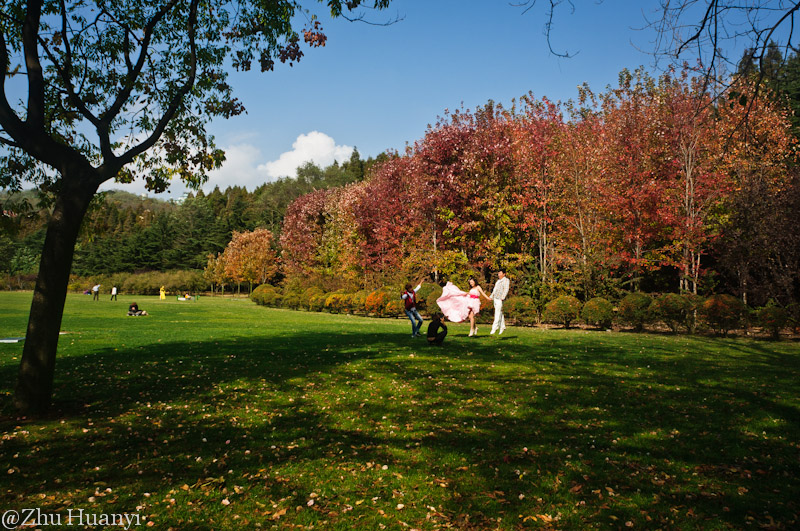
<point>250,257</point>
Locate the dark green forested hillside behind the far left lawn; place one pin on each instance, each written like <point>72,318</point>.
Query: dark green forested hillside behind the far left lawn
<point>124,232</point>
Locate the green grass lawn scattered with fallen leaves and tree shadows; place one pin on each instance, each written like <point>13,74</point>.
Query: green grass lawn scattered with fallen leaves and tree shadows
<point>223,415</point>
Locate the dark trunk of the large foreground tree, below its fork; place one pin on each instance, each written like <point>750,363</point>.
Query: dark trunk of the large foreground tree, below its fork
<point>35,381</point>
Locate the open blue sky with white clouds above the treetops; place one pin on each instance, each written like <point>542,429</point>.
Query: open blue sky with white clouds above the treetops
<point>378,87</point>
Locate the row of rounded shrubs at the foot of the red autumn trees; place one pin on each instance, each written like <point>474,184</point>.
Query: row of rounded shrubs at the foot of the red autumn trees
<point>720,313</point>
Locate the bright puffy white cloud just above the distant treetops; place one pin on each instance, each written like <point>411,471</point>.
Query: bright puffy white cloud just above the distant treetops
<point>314,147</point>
